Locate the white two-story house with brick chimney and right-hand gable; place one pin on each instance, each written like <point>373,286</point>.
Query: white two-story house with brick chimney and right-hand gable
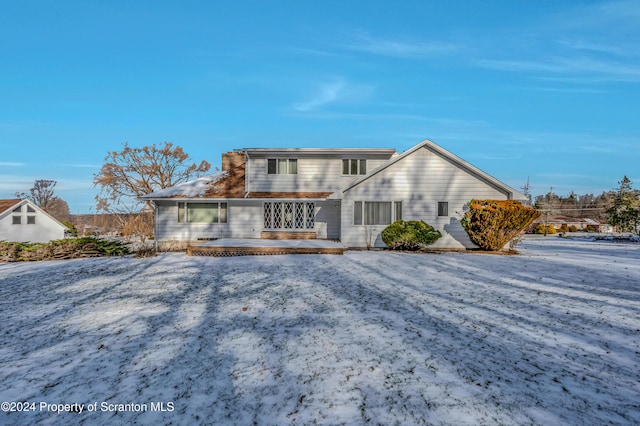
<point>346,194</point>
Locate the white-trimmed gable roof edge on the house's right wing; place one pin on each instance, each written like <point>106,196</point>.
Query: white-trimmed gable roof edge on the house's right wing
<point>438,150</point>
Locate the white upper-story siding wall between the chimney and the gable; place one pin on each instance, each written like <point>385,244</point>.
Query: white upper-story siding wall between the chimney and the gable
<point>319,173</point>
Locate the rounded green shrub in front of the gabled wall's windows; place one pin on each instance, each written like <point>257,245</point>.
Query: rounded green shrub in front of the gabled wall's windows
<point>409,235</point>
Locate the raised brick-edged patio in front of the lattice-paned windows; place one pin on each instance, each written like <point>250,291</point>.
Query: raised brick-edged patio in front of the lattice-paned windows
<point>257,247</point>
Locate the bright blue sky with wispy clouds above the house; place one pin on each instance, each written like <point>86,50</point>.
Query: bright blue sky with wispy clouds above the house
<point>547,91</point>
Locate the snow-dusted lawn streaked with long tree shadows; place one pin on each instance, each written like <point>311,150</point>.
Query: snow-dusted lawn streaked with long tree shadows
<point>551,336</point>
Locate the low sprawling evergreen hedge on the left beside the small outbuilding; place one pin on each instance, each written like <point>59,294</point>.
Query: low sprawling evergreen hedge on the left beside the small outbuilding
<point>69,248</point>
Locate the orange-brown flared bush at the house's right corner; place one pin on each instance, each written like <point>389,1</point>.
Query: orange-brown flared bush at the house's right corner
<point>491,224</point>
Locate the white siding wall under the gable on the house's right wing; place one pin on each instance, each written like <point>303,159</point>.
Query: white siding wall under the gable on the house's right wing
<point>420,181</point>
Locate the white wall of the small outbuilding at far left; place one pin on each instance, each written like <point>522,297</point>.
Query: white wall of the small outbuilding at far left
<point>44,230</point>
